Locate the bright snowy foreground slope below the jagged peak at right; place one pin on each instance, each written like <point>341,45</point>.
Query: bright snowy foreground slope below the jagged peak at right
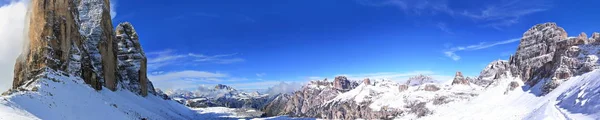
<point>574,99</point>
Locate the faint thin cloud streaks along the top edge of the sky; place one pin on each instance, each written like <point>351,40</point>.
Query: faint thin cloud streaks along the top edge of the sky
<point>494,14</point>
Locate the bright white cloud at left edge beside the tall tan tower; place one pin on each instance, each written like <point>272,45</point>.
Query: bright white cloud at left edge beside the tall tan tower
<point>12,37</point>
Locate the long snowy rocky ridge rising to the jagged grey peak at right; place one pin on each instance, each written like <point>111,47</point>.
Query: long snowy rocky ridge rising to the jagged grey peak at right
<point>551,76</point>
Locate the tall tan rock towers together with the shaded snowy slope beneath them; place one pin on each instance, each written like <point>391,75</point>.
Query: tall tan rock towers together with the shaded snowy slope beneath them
<point>77,67</point>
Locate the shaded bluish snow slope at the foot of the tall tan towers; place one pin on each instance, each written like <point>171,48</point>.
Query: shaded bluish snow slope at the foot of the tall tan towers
<point>64,97</point>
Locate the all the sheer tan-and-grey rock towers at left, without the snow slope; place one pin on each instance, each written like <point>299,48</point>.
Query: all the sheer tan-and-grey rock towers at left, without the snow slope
<point>76,37</point>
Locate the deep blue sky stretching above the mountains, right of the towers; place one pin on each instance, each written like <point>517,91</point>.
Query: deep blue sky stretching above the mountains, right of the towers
<point>256,44</point>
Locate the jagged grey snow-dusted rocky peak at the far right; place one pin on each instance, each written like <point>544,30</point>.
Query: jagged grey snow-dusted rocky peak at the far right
<point>547,55</point>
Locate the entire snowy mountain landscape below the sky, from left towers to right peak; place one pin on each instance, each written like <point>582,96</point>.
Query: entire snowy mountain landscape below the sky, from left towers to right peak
<point>77,67</point>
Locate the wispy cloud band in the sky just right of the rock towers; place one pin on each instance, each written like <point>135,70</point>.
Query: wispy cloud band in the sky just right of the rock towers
<point>160,59</point>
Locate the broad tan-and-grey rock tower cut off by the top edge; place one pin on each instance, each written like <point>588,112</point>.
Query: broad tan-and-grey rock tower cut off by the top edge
<point>71,36</point>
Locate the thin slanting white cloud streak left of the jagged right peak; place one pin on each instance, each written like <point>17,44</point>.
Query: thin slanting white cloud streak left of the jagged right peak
<point>452,51</point>
